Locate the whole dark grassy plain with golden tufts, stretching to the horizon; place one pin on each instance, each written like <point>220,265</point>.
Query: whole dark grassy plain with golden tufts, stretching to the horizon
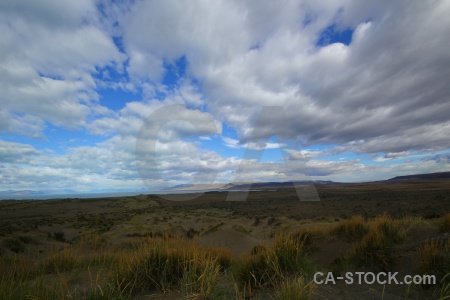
<point>268,247</point>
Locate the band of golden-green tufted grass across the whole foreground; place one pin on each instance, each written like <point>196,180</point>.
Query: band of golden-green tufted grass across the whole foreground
<point>150,264</point>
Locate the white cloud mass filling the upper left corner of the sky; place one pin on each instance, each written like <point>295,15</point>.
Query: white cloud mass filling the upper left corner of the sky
<point>48,53</point>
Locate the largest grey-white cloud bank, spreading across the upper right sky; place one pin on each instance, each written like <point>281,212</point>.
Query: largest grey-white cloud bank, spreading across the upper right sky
<point>377,87</point>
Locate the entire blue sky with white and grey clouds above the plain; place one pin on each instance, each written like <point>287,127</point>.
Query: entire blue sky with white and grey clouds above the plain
<point>100,95</point>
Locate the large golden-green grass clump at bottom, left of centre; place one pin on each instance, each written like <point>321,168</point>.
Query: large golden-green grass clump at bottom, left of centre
<point>163,264</point>
